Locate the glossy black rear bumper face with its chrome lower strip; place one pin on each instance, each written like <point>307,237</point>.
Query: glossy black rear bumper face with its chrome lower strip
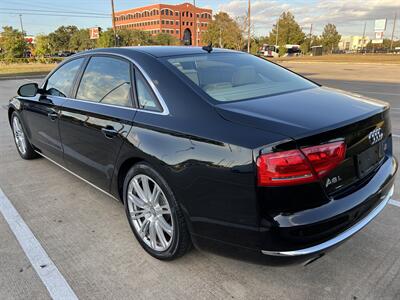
<point>315,230</point>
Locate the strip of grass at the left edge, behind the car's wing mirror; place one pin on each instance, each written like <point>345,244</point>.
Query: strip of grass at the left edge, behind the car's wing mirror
<point>25,69</point>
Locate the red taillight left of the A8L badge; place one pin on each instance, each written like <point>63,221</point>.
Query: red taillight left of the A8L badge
<point>299,166</point>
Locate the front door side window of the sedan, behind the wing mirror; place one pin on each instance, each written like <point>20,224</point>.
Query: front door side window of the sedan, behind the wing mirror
<point>61,81</point>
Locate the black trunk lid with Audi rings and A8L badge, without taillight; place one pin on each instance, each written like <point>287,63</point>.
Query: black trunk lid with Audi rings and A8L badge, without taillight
<point>320,115</point>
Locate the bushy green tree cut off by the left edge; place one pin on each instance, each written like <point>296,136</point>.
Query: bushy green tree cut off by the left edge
<point>12,43</point>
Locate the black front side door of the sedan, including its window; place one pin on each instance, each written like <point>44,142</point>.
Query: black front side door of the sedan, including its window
<point>41,113</point>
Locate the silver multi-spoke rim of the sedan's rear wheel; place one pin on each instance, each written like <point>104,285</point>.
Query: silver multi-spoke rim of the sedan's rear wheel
<point>150,212</point>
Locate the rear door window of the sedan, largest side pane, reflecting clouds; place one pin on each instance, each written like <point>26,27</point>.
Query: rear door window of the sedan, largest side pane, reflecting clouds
<point>106,80</point>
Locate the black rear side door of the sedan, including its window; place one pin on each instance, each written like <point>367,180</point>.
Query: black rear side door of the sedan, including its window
<point>95,123</point>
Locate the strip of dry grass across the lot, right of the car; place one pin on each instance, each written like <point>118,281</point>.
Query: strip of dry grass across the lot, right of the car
<point>345,58</point>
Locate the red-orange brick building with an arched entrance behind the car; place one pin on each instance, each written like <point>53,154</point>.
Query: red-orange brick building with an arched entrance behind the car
<point>178,20</point>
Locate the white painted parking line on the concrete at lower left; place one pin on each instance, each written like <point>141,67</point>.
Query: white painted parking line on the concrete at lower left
<point>51,277</point>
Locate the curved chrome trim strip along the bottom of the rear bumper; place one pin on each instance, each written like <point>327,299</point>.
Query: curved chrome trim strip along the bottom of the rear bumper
<point>338,239</point>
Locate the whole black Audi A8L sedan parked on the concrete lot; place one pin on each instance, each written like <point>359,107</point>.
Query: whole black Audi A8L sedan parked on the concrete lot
<point>213,147</point>
